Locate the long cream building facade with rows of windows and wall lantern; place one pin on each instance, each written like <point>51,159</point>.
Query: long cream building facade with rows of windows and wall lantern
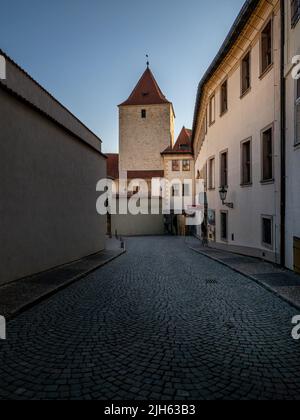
<point>237,135</point>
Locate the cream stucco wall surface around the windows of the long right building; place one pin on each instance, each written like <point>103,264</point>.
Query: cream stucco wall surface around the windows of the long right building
<point>245,119</point>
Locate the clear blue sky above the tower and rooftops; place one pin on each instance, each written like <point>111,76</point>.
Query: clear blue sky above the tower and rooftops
<point>90,53</point>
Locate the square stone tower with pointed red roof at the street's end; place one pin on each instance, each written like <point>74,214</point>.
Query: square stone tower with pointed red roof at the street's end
<point>146,129</point>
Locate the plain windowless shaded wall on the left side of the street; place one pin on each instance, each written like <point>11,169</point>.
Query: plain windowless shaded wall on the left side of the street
<point>48,192</point>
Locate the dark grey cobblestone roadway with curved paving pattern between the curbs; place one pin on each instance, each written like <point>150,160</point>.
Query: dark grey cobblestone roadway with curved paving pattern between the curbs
<point>161,322</point>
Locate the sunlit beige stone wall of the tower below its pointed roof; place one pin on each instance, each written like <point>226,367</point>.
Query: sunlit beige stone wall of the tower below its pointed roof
<point>143,140</point>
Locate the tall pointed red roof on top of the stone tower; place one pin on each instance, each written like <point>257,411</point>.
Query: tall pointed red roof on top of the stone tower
<point>146,92</point>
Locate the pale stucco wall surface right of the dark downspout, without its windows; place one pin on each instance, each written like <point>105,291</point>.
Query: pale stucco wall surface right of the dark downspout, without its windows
<point>292,48</point>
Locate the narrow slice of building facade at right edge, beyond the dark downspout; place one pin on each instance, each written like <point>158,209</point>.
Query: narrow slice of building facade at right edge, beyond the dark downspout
<point>292,136</point>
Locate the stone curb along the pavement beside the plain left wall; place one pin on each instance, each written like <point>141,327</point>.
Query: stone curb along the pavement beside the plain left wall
<point>57,289</point>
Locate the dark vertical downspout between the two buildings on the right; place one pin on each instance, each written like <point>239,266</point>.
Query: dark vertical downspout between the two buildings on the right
<point>283,139</point>
